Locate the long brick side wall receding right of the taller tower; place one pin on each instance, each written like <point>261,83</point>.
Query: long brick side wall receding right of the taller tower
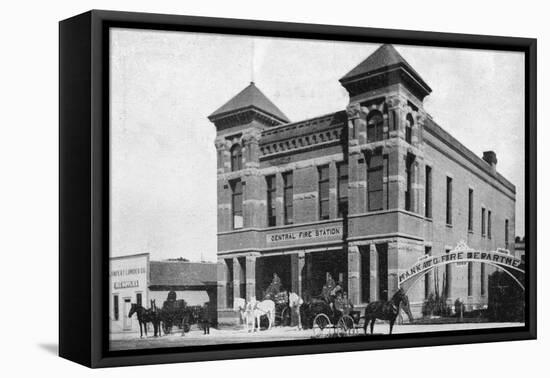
<point>490,196</point>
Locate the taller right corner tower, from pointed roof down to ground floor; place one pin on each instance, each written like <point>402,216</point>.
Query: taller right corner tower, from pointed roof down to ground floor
<point>386,167</point>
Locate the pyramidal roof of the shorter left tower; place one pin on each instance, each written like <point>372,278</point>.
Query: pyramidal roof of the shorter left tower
<point>250,97</point>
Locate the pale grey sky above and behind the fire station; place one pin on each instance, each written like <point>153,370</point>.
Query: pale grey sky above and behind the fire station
<point>165,84</point>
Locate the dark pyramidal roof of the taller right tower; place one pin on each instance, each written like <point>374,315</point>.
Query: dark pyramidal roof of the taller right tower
<point>385,59</point>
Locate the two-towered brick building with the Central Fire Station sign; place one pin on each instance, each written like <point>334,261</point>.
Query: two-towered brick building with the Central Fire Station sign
<point>361,194</point>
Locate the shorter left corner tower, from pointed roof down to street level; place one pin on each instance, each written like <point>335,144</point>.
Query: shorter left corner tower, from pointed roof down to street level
<point>241,189</point>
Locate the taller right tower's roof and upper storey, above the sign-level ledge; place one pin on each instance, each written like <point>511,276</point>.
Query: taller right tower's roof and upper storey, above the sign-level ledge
<point>385,121</point>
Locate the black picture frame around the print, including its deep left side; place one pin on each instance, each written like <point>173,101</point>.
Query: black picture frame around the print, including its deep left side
<point>84,186</point>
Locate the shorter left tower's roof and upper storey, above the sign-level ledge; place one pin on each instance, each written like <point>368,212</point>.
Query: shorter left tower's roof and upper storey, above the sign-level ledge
<point>239,124</point>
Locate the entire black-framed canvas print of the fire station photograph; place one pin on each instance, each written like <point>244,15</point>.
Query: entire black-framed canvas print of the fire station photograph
<point>234,188</point>
